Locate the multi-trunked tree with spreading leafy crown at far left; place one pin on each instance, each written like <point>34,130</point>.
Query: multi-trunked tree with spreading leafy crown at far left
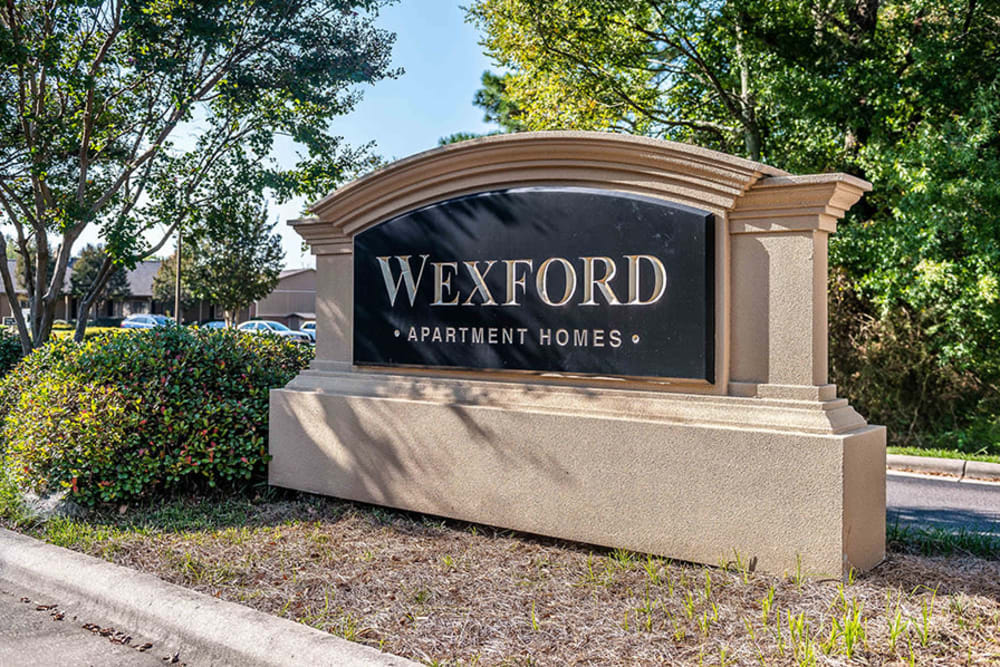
<point>116,110</point>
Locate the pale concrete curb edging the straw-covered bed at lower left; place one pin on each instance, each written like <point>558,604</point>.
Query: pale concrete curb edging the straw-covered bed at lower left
<point>214,631</point>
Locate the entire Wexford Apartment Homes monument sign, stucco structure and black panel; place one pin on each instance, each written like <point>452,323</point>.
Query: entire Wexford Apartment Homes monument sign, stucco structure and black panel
<point>603,338</point>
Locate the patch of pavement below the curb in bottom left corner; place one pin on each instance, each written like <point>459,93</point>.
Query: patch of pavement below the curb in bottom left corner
<point>35,630</point>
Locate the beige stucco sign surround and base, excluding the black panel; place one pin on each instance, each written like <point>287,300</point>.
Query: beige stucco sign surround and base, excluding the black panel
<point>766,461</point>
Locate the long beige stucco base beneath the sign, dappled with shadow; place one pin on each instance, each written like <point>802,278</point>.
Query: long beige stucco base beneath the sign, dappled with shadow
<point>698,478</point>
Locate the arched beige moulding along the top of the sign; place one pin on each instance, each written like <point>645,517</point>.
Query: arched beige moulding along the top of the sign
<point>680,173</point>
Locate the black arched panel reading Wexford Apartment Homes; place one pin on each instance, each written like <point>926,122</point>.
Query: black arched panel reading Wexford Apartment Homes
<point>545,279</point>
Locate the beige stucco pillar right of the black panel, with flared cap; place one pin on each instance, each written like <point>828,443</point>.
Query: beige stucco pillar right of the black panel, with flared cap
<point>779,233</point>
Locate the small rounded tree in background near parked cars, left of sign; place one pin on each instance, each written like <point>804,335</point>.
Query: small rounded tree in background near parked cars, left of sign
<point>236,259</point>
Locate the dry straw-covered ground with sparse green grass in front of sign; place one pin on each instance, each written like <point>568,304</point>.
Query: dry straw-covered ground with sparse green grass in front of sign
<point>446,592</point>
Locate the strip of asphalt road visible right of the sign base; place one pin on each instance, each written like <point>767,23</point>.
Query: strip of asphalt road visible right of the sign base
<point>942,502</point>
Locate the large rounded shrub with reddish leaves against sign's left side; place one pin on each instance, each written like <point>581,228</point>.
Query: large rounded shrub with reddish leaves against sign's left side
<point>120,417</point>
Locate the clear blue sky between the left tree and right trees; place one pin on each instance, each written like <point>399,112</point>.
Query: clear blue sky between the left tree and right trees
<point>432,99</point>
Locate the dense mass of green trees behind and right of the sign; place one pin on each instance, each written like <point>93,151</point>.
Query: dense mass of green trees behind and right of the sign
<point>900,93</point>
